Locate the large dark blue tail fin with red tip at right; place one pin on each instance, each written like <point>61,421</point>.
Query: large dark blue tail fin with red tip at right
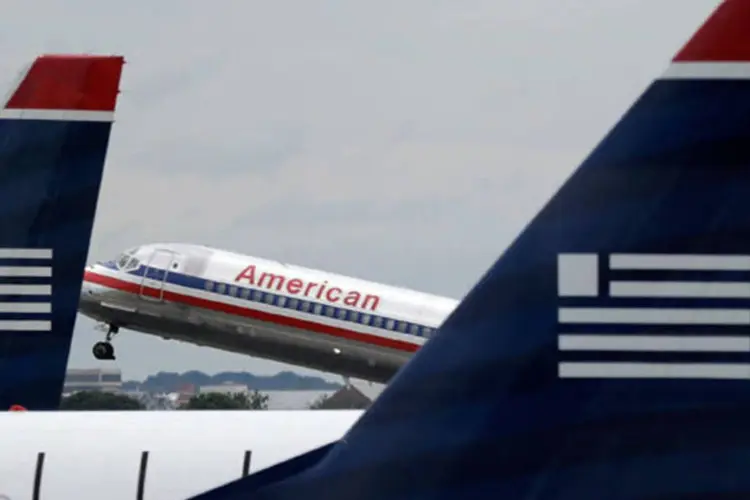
<point>606,355</point>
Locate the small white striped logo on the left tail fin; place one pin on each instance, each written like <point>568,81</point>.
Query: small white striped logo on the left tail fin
<point>25,289</point>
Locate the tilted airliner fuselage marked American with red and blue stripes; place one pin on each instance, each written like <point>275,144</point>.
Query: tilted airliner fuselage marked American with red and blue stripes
<point>263,308</point>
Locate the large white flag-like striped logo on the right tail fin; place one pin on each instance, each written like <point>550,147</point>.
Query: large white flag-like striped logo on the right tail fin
<point>684,307</point>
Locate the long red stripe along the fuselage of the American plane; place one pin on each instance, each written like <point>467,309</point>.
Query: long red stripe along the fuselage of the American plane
<point>135,288</point>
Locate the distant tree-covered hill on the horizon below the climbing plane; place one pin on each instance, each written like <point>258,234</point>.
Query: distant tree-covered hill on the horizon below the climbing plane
<point>173,382</point>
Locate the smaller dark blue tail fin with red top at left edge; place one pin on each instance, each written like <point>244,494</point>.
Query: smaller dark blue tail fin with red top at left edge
<point>54,132</point>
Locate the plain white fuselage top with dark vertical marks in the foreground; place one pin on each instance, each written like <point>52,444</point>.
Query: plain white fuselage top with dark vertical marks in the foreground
<point>173,454</point>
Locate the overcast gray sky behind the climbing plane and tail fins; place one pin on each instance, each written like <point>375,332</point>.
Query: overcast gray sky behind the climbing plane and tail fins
<point>401,141</point>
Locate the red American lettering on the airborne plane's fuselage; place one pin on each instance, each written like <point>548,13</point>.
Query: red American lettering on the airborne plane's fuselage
<point>300,287</point>
